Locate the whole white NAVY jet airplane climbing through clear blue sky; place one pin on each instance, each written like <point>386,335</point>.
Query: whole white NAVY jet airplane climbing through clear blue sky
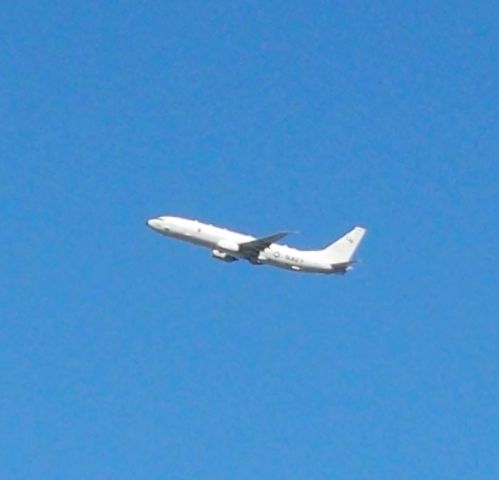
<point>230,246</point>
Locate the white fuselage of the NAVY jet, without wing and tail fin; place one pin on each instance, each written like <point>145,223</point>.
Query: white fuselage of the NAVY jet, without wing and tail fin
<point>224,245</point>
